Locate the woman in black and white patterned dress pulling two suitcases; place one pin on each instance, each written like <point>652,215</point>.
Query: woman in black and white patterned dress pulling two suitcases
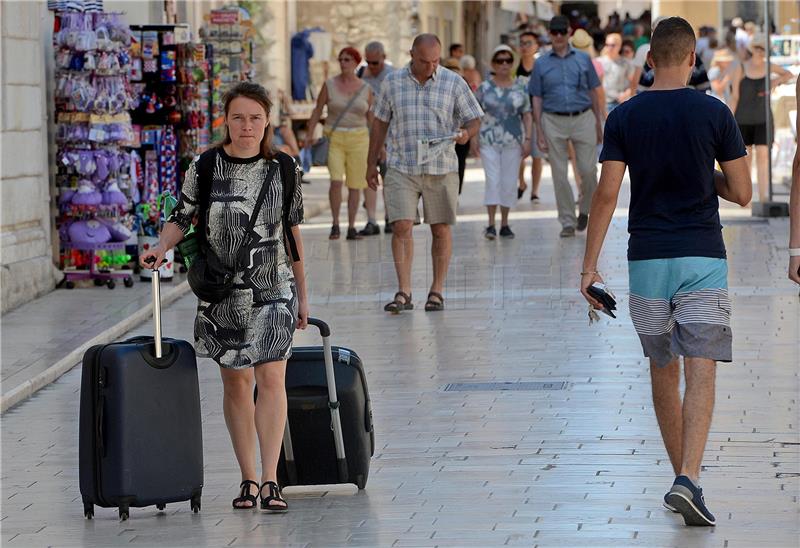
<point>246,201</point>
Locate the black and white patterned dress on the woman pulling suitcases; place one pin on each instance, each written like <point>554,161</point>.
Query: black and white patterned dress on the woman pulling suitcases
<point>256,322</point>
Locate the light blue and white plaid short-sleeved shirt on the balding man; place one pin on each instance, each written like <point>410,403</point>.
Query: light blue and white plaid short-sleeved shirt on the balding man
<point>414,111</point>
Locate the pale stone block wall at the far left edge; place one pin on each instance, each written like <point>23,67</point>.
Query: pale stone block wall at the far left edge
<point>26,258</point>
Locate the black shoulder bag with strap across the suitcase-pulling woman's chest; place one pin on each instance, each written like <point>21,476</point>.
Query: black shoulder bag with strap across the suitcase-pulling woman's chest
<point>209,278</point>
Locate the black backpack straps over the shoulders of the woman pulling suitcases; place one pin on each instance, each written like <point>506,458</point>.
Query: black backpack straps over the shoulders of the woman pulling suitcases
<point>205,172</point>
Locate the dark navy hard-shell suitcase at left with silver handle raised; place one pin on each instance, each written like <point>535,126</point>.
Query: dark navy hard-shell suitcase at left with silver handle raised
<point>140,434</point>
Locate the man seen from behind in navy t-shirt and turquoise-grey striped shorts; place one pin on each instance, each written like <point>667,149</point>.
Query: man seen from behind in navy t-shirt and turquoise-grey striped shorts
<point>669,138</point>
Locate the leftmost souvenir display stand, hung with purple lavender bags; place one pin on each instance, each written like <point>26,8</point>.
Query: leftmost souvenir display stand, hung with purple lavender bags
<point>93,129</point>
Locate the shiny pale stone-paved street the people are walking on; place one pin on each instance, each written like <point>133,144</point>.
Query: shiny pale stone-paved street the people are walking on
<point>578,465</point>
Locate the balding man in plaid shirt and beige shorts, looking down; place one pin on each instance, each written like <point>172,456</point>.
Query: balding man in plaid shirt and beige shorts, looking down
<point>418,103</point>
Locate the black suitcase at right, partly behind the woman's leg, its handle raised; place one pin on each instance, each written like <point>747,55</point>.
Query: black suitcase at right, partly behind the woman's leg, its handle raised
<point>329,438</point>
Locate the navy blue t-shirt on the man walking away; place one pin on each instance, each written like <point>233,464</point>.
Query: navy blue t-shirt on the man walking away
<point>670,139</point>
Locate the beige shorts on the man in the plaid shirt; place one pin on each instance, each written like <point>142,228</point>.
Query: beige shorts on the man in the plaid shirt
<point>439,197</point>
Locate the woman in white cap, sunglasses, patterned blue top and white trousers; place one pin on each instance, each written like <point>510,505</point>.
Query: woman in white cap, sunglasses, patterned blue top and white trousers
<point>505,138</point>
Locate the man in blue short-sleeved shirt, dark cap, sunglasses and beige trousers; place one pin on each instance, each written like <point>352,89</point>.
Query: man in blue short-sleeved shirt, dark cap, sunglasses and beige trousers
<point>566,107</point>
